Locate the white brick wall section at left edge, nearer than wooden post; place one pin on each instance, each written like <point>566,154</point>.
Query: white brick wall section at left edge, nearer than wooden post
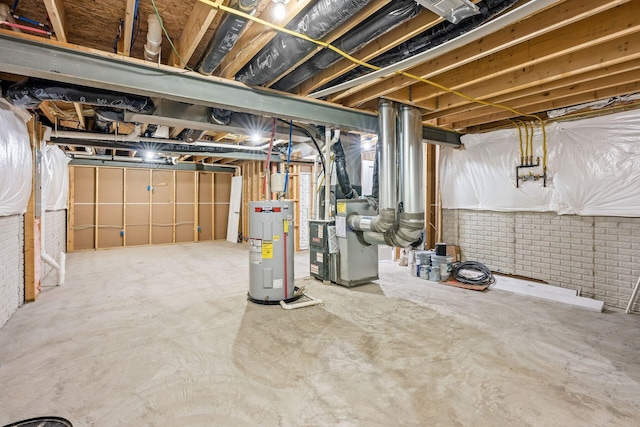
<point>11,265</point>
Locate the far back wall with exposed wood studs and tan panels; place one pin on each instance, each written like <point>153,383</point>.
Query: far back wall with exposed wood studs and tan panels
<point>143,206</point>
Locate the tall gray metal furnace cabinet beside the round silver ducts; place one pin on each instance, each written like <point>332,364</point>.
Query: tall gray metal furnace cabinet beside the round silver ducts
<point>358,260</point>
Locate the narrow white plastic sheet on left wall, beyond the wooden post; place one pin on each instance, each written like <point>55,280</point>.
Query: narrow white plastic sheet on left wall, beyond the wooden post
<point>55,178</point>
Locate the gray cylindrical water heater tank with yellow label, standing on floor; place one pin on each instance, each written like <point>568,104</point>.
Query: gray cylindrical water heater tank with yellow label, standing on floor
<point>271,247</point>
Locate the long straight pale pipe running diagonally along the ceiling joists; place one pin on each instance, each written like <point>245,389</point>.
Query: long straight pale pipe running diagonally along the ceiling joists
<point>509,18</point>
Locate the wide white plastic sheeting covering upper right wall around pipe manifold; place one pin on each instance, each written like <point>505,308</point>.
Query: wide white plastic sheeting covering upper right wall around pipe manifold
<point>593,168</point>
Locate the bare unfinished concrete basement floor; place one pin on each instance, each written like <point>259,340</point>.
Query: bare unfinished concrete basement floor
<point>164,336</point>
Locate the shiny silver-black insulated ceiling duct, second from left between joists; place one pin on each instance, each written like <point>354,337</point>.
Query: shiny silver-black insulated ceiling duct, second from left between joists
<point>284,50</point>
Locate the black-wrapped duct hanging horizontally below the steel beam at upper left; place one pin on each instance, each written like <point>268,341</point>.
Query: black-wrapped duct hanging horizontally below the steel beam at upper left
<point>30,93</point>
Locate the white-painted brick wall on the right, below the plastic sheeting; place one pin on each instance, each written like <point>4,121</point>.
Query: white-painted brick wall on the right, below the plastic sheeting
<point>599,256</point>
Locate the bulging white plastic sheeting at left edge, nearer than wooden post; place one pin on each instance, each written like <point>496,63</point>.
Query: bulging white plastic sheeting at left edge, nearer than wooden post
<point>15,163</point>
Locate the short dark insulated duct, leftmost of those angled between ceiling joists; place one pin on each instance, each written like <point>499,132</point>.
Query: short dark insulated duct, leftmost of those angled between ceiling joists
<point>226,37</point>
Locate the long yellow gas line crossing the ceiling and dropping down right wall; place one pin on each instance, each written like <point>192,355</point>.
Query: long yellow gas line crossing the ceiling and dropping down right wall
<point>376,68</point>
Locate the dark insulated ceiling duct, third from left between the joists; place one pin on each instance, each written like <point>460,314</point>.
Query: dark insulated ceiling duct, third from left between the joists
<point>373,27</point>
